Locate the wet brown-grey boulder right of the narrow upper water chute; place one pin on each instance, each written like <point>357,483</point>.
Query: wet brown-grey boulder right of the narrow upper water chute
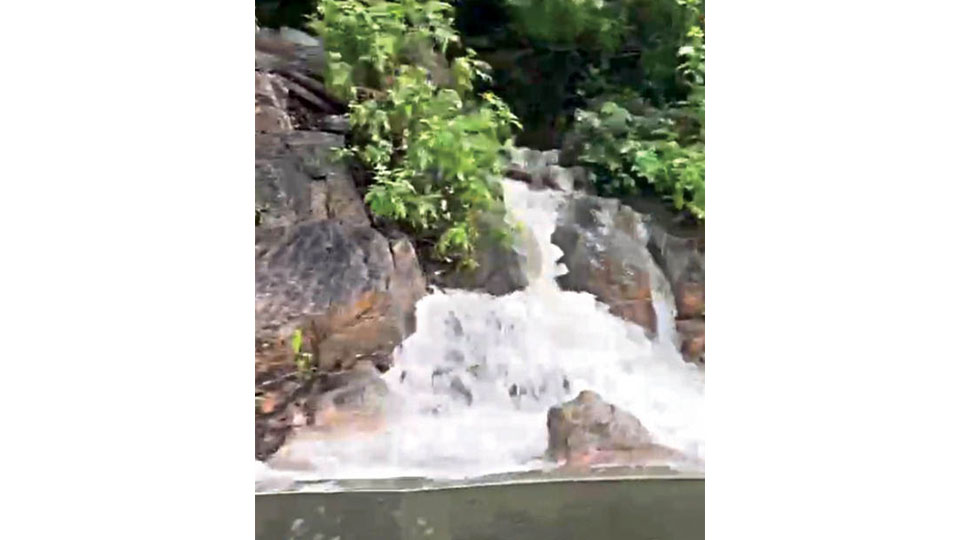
<point>604,247</point>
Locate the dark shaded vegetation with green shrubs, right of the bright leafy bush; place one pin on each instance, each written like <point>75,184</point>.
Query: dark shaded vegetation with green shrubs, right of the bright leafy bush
<point>625,78</point>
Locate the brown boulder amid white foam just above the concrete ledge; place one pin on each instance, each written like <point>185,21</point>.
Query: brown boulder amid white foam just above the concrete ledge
<point>589,431</point>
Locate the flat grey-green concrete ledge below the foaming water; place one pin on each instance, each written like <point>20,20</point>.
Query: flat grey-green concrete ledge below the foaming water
<point>637,508</point>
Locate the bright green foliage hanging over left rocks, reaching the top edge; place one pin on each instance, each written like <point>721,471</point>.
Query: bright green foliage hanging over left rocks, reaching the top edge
<point>435,150</point>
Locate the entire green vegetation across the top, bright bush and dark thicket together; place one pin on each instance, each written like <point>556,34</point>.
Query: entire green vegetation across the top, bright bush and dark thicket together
<point>620,82</point>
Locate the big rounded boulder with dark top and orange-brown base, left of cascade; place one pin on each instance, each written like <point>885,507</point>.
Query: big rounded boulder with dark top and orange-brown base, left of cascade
<point>347,289</point>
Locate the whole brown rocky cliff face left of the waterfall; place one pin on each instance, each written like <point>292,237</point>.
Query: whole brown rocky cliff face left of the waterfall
<point>323,273</point>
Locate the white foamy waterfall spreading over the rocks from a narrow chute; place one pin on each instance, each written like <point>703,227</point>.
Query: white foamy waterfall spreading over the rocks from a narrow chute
<point>471,388</point>
